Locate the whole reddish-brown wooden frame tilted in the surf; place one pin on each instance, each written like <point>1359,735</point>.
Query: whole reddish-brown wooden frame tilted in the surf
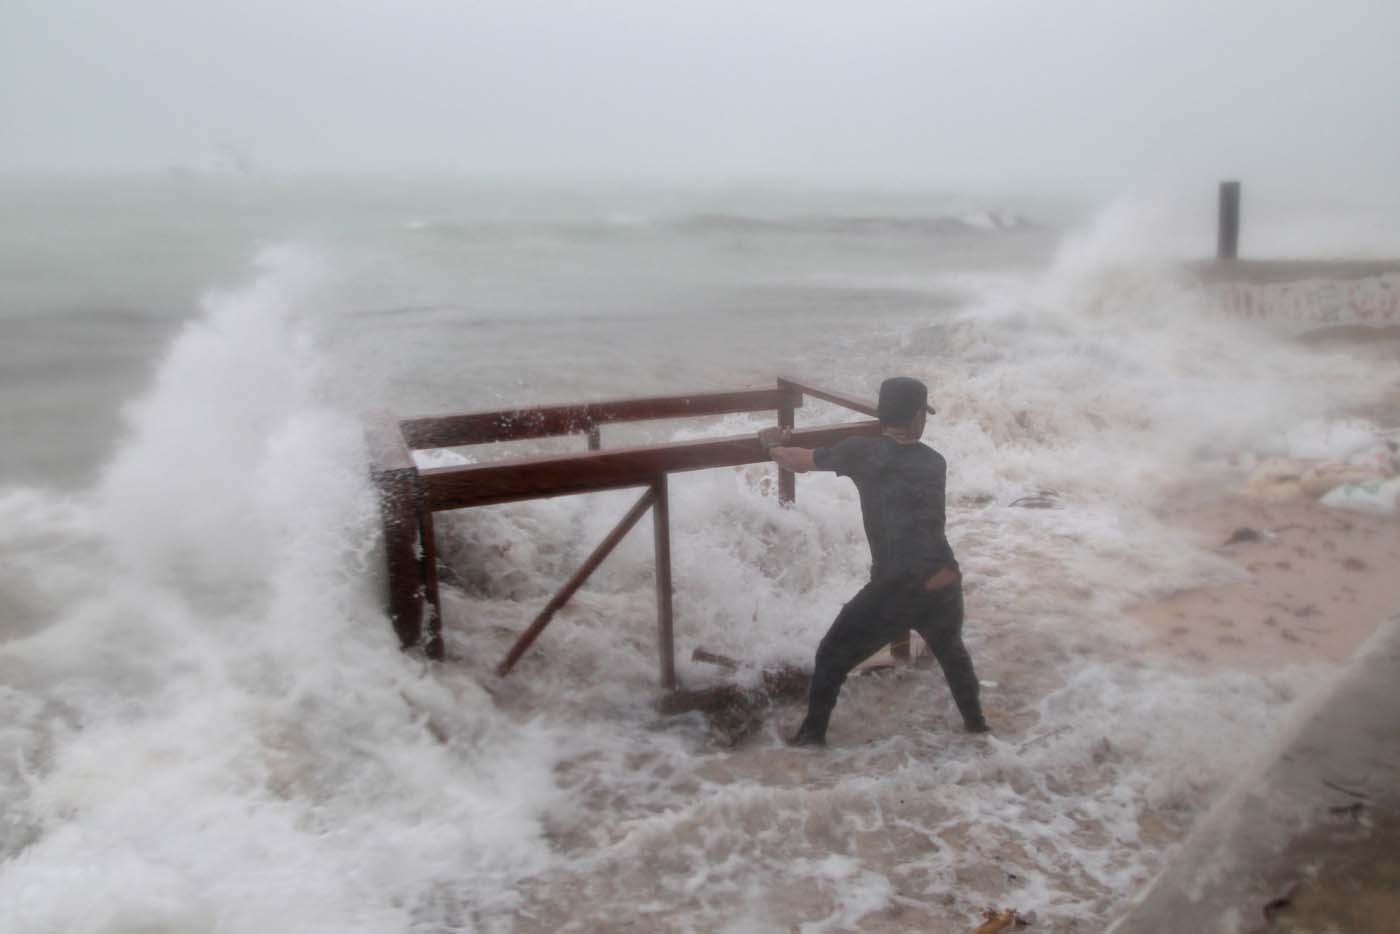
<point>409,496</point>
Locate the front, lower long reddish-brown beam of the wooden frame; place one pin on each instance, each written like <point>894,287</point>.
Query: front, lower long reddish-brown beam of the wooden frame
<point>587,473</point>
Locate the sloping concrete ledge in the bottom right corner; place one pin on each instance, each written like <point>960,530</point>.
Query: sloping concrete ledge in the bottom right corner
<point>1310,838</point>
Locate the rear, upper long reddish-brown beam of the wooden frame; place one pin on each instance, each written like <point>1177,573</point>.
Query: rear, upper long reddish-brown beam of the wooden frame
<point>542,422</point>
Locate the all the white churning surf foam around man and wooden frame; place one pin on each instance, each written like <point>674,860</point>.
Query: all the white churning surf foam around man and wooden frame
<point>213,730</point>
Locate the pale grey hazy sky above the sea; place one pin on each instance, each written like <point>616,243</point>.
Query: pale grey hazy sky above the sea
<point>1059,95</point>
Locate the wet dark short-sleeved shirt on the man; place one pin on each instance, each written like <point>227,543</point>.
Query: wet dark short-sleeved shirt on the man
<point>902,489</point>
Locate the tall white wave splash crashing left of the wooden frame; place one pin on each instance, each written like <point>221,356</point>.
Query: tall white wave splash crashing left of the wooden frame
<point>212,729</point>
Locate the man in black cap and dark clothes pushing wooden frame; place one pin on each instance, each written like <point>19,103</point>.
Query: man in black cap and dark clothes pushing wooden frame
<point>915,579</point>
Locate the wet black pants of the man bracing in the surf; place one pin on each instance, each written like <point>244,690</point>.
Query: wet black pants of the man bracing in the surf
<point>878,615</point>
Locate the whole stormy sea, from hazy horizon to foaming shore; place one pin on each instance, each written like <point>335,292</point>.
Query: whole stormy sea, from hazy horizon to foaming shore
<point>206,723</point>
